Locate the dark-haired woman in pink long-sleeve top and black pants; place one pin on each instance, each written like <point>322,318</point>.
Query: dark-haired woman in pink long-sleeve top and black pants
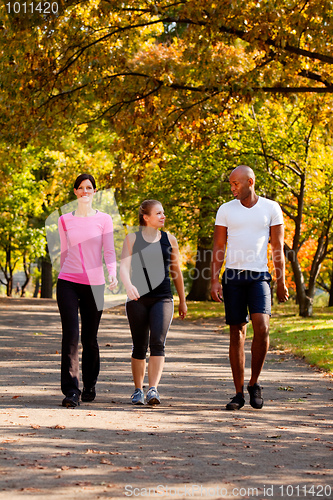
<point>85,235</point>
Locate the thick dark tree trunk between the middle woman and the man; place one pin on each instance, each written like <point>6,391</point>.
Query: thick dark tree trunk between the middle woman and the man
<point>200,289</point>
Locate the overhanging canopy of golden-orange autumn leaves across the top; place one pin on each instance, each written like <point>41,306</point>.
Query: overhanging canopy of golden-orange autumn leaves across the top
<point>155,63</point>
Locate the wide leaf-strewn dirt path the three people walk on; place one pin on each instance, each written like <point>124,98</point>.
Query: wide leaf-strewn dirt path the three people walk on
<point>188,447</point>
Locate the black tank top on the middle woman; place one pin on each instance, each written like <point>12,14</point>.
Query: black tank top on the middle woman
<point>150,266</point>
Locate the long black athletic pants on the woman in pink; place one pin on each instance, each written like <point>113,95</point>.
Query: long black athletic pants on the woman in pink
<point>71,298</point>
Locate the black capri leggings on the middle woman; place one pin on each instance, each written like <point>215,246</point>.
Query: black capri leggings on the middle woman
<point>149,315</point>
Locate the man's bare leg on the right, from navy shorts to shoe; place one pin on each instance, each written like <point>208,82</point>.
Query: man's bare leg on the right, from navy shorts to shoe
<point>260,344</point>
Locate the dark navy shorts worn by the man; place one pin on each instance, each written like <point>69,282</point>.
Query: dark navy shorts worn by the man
<point>245,292</point>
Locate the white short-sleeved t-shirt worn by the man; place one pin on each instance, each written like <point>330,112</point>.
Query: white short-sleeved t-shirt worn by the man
<point>248,232</point>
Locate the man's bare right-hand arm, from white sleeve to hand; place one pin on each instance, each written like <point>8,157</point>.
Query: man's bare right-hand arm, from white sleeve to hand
<point>277,242</point>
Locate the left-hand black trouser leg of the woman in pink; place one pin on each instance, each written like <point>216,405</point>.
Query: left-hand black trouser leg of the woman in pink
<point>68,303</point>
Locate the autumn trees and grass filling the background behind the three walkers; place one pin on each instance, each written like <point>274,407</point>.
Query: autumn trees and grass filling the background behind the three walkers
<point>162,100</point>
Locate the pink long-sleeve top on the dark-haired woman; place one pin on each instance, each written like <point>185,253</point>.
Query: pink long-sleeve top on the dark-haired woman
<point>83,241</point>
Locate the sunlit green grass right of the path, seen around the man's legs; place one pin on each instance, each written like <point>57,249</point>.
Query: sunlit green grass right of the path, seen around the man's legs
<point>309,338</point>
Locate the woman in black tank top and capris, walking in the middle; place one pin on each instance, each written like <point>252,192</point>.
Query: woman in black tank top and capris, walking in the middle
<point>147,258</point>
